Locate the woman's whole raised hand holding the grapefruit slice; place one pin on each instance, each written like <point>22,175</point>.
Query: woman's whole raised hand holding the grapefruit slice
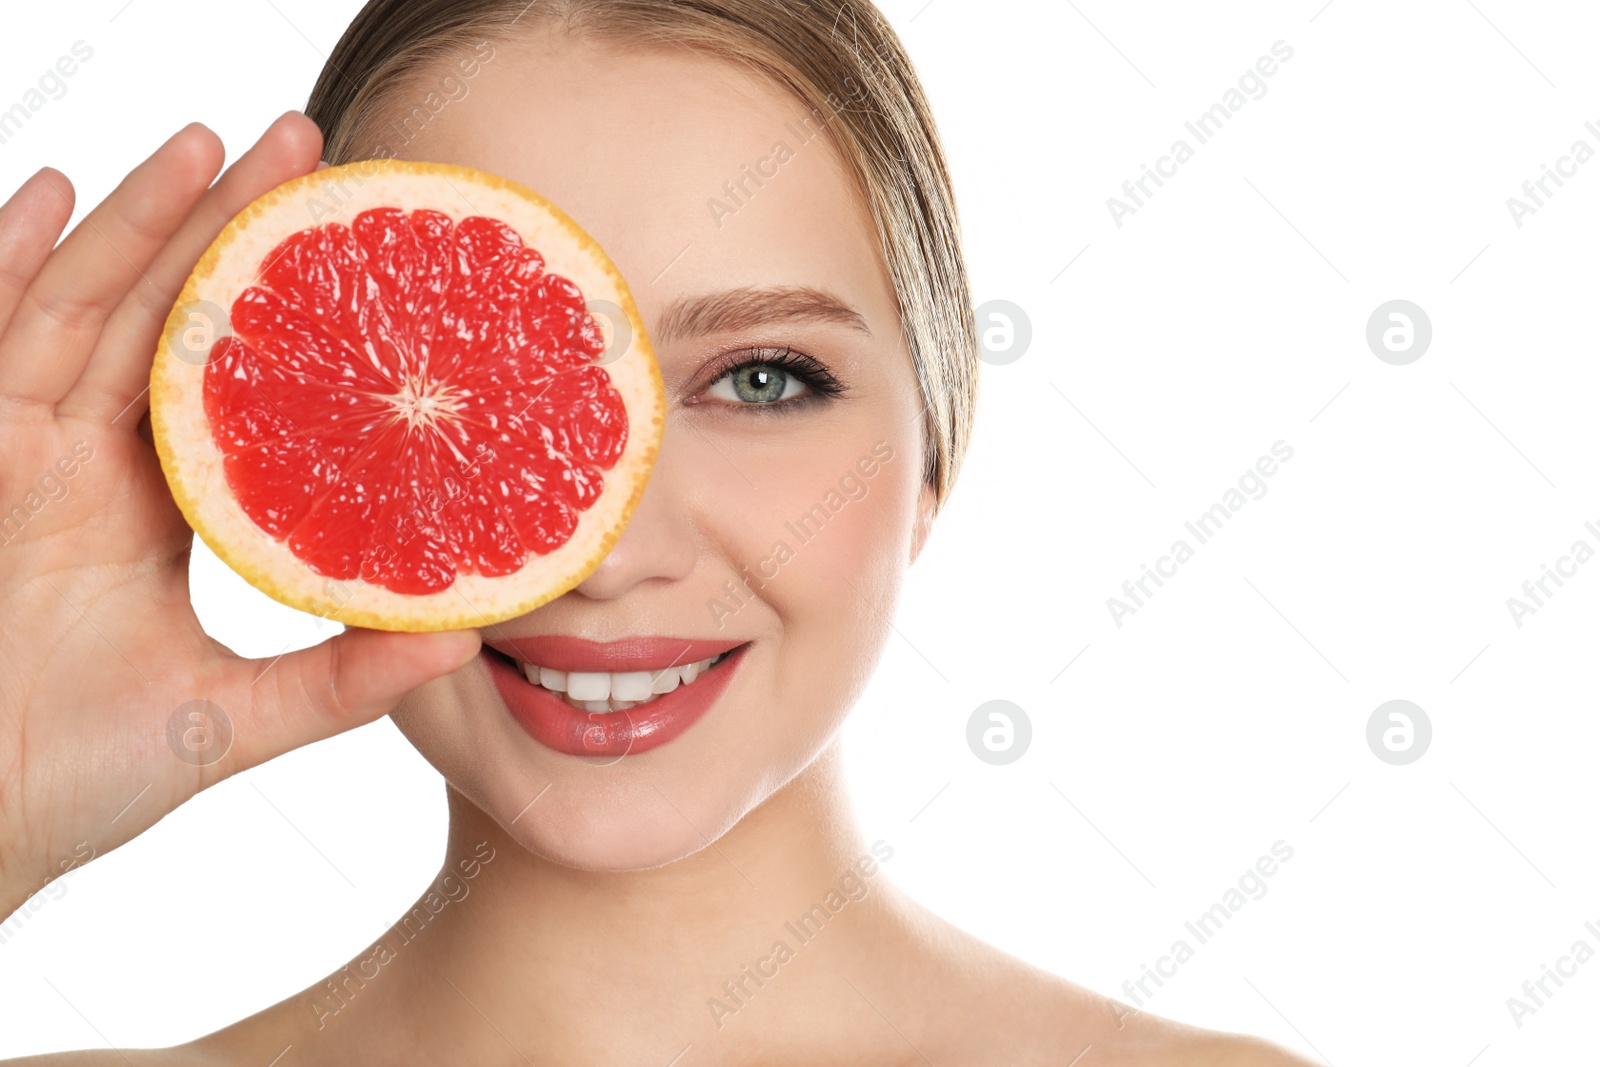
<point>102,655</point>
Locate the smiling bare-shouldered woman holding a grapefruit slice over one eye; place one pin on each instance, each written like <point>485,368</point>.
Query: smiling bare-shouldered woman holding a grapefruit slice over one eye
<point>769,178</point>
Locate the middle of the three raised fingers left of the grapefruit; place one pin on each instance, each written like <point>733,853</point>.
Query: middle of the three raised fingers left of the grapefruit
<point>63,310</point>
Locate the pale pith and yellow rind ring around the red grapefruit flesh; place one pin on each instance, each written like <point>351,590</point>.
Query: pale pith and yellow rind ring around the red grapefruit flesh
<point>194,463</point>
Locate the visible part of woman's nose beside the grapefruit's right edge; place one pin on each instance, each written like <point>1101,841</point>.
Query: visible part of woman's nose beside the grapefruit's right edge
<point>660,541</point>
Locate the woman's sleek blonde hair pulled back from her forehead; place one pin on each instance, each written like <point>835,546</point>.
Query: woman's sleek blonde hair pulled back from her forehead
<point>841,58</point>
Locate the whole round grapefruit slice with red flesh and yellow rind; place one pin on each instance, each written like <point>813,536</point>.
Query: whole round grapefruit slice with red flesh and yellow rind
<point>407,398</point>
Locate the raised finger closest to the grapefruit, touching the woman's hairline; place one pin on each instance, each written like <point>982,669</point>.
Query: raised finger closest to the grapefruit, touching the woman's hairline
<point>119,370</point>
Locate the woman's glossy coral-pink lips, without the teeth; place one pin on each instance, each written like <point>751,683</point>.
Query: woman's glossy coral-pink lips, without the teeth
<point>558,725</point>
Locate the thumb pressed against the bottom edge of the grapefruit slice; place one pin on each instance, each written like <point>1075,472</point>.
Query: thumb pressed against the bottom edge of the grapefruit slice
<point>338,685</point>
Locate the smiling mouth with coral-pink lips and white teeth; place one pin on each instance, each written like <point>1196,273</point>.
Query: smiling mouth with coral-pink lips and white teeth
<point>610,700</point>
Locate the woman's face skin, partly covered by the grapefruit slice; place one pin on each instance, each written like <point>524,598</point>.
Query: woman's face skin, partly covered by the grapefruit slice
<point>777,518</point>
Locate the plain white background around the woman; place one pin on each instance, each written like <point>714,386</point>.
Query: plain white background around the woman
<point>1231,711</point>
